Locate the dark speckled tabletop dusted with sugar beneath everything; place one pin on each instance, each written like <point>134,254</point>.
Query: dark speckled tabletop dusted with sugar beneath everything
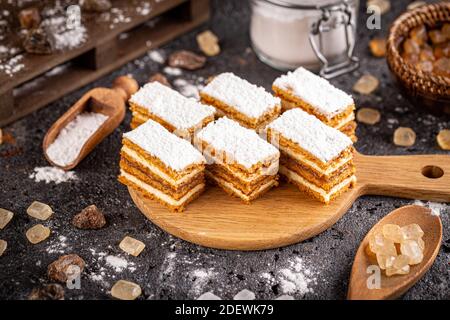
<point>170,268</point>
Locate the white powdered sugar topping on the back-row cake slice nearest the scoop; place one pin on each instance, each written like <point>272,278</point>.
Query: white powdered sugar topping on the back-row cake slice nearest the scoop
<point>171,106</point>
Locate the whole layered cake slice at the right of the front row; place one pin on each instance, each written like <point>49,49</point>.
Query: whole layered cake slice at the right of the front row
<point>315,157</point>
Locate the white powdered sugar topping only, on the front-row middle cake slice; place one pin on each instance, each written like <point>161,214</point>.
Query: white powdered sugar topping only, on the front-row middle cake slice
<point>240,144</point>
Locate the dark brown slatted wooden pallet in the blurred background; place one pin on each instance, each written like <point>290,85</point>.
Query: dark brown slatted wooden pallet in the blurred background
<point>104,51</point>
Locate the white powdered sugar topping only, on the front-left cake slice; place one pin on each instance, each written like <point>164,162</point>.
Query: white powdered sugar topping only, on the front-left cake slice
<point>173,151</point>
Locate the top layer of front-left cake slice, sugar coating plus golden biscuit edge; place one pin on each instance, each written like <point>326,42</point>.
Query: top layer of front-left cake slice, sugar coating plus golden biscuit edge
<point>154,143</point>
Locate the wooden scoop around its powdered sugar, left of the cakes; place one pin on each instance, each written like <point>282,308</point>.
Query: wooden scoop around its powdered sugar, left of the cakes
<point>110,102</point>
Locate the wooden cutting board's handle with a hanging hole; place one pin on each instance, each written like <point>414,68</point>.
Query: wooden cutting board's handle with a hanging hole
<point>424,177</point>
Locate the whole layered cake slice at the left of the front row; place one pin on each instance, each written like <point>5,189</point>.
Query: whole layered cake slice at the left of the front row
<point>161,166</point>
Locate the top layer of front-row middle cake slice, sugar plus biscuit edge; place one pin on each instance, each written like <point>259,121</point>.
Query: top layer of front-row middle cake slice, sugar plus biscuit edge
<point>226,141</point>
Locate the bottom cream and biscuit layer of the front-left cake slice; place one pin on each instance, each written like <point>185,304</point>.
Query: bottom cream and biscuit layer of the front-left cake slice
<point>154,194</point>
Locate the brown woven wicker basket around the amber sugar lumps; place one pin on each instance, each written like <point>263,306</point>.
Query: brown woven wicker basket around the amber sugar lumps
<point>424,88</point>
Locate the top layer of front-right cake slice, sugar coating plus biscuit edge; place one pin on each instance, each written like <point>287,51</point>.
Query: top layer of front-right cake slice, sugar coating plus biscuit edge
<point>309,136</point>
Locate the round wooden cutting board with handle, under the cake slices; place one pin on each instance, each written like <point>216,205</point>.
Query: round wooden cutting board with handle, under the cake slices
<point>285,216</point>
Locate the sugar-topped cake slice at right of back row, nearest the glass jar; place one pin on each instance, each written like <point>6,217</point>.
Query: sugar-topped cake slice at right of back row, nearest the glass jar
<point>315,95</point>
